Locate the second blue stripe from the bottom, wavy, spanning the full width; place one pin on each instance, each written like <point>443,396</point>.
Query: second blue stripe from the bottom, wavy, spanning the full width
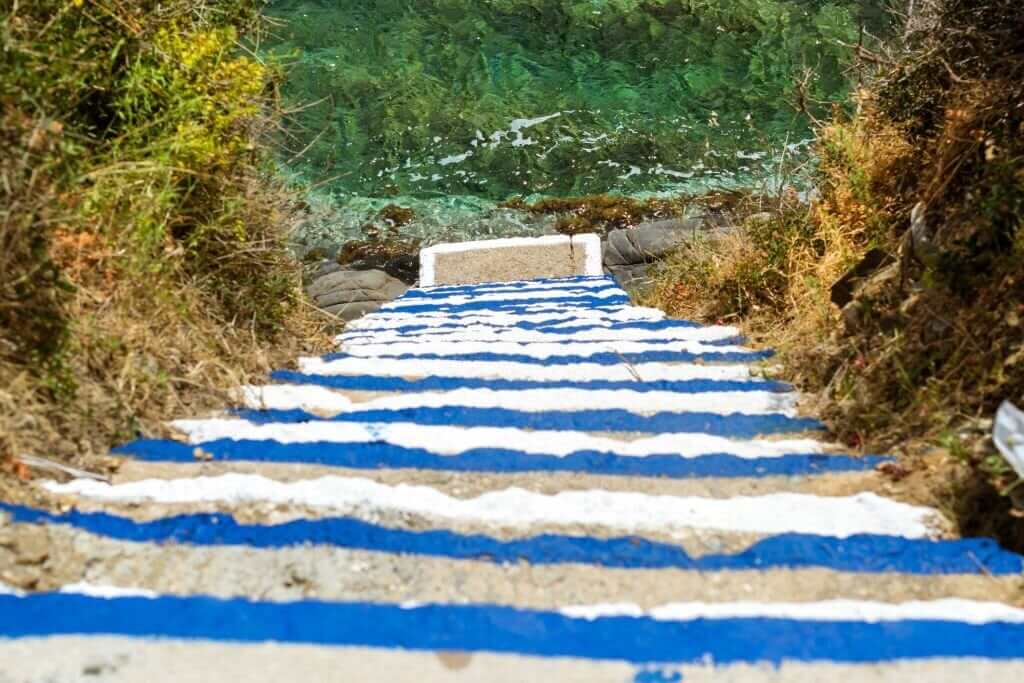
<point>864,553</point>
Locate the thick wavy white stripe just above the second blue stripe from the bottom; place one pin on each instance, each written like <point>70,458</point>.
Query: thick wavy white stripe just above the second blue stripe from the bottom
<point>631,513</point>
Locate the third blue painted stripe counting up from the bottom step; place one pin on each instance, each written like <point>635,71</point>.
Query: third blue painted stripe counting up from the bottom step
<point>389,456</point>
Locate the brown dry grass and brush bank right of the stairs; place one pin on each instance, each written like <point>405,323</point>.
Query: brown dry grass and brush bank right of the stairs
<point>930,341</point>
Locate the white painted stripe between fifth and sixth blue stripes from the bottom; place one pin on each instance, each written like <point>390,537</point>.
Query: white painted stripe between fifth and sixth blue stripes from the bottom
<point>581,372</point>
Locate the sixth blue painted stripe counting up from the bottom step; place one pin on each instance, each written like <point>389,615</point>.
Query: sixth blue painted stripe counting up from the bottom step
<point>602,358</point>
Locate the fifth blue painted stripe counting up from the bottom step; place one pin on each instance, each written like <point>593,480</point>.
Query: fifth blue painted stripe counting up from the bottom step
<point>374,383</point>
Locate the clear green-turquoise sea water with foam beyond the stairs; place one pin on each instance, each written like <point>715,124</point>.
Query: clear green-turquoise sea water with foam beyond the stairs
<point>451,107</point>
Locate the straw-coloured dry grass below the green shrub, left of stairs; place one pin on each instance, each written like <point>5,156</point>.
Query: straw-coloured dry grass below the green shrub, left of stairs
<point>139,356</point>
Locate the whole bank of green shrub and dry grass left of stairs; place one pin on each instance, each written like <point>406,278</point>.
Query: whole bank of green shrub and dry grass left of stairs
<point>144,268</point>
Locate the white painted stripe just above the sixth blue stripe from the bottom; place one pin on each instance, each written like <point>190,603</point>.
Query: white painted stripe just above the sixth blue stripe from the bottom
<point>535,351</point>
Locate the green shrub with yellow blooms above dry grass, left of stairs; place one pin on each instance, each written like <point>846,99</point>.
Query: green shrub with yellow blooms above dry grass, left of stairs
<point>132,152</point>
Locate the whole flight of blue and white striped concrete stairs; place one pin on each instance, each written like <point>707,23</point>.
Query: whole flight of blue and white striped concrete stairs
<point>509,482</point>
